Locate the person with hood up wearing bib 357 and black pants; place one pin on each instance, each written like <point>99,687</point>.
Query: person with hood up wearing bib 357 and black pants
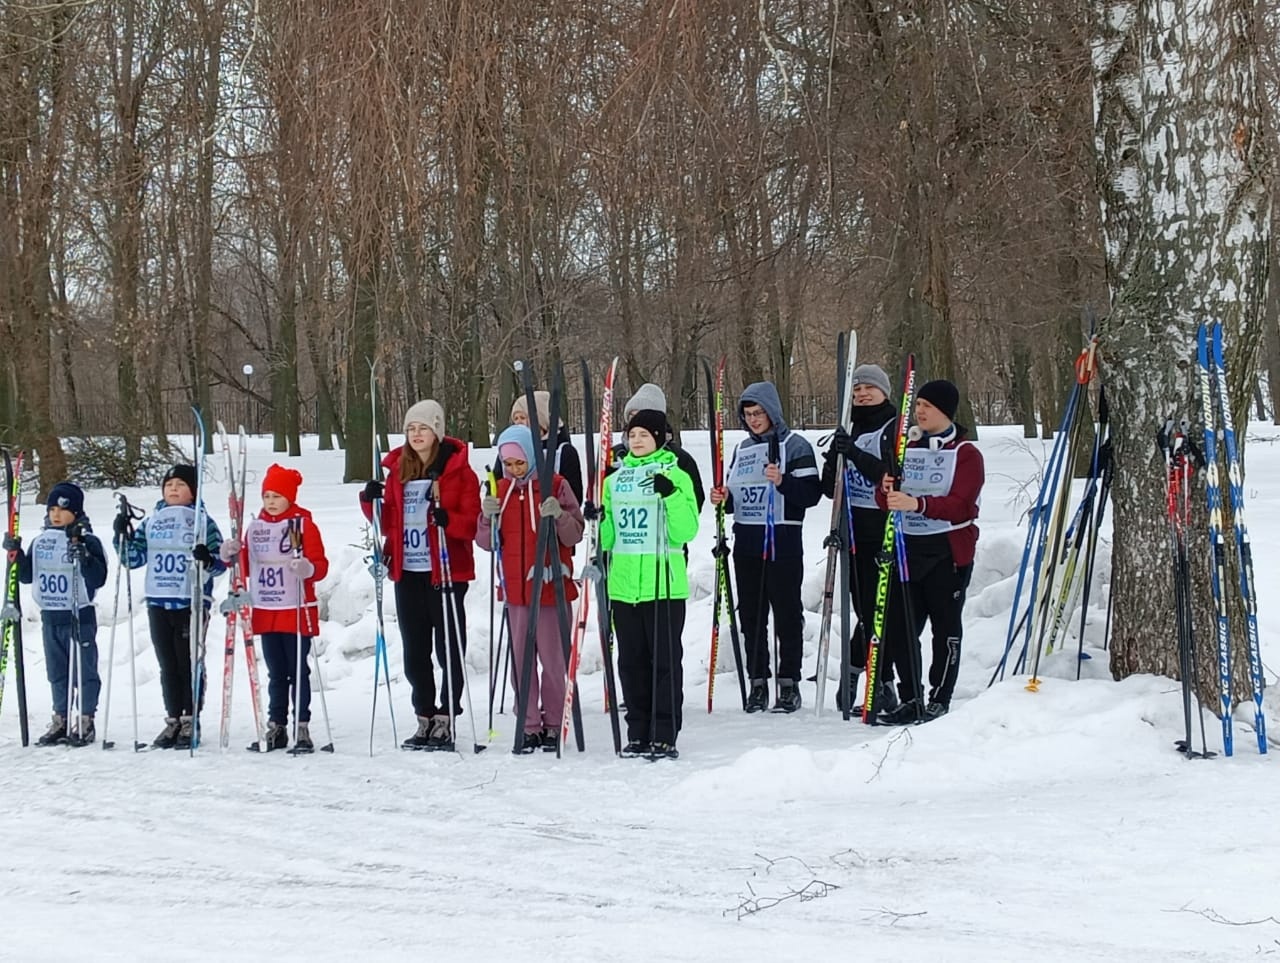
<point>772,481</point>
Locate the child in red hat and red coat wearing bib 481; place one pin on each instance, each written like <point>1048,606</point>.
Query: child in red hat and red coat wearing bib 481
<point>284,559</point>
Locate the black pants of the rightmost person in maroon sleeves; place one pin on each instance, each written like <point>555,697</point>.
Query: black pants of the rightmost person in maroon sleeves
<point>938,595</point>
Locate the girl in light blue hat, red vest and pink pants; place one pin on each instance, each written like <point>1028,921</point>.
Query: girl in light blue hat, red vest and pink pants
<point>516,512</point>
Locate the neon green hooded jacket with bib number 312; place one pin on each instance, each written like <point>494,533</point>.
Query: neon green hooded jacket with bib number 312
<point>629,530</point>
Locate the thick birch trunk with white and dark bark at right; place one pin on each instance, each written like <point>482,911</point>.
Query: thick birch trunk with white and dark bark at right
<point>1186,207</point>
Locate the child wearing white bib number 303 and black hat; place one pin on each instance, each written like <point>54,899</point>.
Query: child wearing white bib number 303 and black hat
<point>167,546</point>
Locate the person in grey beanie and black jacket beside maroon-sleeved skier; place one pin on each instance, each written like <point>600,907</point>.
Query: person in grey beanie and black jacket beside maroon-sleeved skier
<point>868,450</point>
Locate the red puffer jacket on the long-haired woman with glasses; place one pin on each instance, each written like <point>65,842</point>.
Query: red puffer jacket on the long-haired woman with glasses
<point>458,491</point>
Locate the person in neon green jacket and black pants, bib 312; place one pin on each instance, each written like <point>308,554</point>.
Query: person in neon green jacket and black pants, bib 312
<point>650,513</point>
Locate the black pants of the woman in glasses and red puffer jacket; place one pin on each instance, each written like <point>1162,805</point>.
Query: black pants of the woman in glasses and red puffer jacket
<point>422,613</point>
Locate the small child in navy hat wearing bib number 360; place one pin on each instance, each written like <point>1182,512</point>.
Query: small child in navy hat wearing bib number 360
<point>66,567</point>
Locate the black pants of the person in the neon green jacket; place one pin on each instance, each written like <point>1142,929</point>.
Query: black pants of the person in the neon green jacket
<point>651,667</point>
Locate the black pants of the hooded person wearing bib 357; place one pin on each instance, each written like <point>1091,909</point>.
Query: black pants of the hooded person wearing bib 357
<point>765,586</point>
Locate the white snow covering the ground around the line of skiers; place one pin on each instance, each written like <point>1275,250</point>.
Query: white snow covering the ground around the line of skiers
<point>1059,825</point>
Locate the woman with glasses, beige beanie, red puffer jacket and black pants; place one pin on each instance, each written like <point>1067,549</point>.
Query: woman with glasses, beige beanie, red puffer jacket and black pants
<point>431,490</point>
